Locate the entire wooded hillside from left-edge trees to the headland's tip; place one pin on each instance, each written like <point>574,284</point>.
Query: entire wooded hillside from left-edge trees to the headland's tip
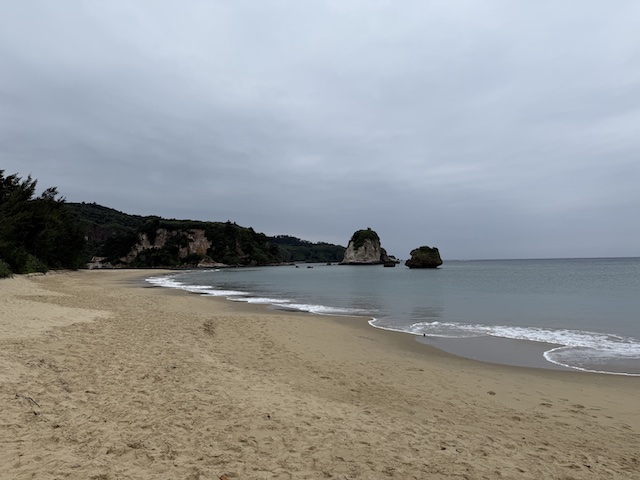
<point>39,233</point>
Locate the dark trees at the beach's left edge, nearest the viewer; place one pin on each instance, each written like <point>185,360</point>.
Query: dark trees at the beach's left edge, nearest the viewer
<point>36,233</point>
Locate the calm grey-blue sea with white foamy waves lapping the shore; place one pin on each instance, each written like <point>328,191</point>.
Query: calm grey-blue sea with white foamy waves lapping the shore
<point>581,314</point>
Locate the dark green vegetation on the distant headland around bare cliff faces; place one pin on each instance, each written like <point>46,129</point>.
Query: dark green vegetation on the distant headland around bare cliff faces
<point>113,235</point>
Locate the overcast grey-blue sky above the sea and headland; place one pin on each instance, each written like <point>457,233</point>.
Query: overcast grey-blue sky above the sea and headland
<point>492,129</point>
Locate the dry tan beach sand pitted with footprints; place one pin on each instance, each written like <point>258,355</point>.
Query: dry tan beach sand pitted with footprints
<point>101,378</point>
